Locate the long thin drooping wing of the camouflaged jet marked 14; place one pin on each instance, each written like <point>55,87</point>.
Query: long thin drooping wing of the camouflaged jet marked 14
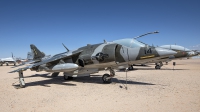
<point>48,61</point>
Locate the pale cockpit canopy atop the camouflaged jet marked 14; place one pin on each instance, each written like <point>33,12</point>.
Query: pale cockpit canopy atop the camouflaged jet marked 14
<point>129,43</point>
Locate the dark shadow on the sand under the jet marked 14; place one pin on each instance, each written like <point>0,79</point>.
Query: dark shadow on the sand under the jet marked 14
<point>60,81</point>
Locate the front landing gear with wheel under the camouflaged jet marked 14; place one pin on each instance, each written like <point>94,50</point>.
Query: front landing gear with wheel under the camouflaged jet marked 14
<point>106,77</point>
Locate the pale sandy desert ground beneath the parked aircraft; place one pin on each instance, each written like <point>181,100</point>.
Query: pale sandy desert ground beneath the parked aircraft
<point>148,90</point>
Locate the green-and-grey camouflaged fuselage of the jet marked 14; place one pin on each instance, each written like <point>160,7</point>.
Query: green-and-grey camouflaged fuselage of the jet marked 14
<point>92,58</point>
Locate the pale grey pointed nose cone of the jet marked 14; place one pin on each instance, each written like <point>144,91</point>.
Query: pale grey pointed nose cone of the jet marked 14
<point>165,52</point>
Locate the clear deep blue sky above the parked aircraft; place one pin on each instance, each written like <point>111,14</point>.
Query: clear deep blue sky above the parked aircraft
<point>76,23</point>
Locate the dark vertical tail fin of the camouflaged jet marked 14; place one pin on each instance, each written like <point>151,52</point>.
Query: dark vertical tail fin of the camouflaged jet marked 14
<point>36,53</point>
